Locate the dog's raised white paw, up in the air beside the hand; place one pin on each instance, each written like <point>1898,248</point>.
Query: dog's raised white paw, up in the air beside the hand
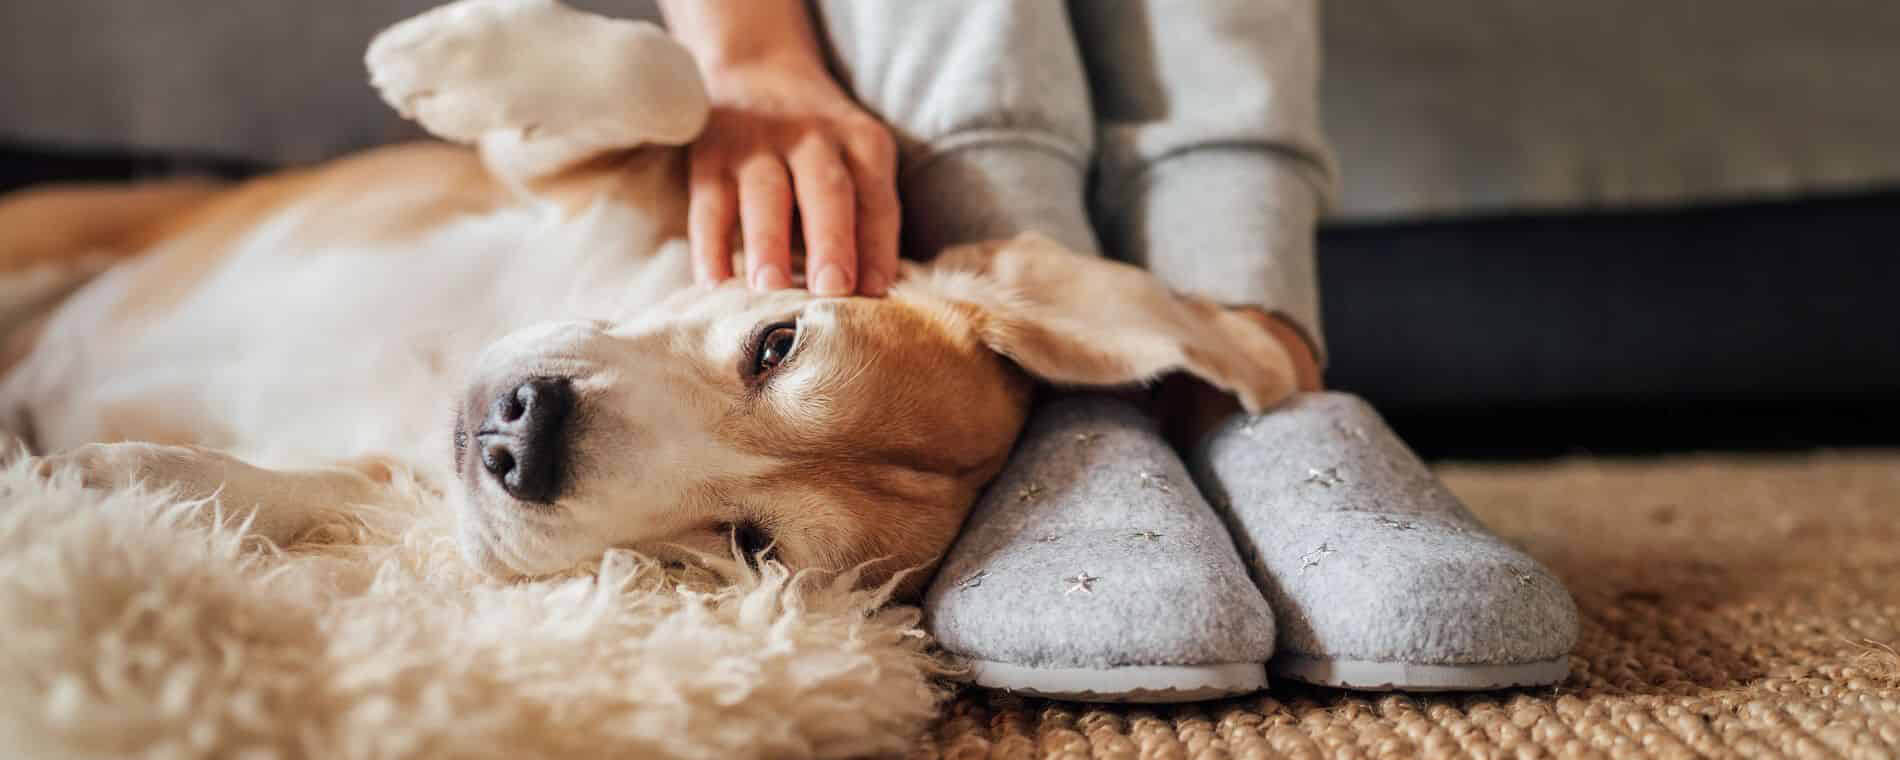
<point>539,85</point>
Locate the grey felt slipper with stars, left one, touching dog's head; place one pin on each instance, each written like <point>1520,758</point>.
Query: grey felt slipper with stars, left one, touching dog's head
<point>1095,571</point>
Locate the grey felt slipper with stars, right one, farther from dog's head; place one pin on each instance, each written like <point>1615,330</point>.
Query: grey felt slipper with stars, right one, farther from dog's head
<point>1380,579</point>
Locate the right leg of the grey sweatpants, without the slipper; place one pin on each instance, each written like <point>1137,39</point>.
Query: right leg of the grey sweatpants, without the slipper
<point>1211,161</point>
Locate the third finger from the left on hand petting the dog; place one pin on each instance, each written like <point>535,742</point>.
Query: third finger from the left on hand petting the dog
<point>829,210</point>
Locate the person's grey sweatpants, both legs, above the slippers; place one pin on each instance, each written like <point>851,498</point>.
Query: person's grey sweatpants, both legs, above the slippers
<point>1198,123</point>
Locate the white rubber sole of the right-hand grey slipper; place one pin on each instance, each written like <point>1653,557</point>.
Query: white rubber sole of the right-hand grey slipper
<point>1407,677</point>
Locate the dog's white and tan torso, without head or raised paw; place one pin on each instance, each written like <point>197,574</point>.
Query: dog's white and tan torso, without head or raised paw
<point>377,280</point>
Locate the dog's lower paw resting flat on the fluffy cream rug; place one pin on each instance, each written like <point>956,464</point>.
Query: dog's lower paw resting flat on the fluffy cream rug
<point>191,472</point>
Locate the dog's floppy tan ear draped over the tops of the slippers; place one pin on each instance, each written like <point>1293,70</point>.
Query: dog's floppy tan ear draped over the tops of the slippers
<point>1078,320</point>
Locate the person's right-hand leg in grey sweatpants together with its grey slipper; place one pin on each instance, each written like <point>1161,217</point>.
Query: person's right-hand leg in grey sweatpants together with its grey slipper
<point>1213,174</point>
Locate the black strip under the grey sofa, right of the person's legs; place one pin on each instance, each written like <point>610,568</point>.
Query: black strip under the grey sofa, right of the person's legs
<point>1637,332</point>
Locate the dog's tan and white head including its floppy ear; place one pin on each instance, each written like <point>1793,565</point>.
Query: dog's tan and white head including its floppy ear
<point>831,432</point>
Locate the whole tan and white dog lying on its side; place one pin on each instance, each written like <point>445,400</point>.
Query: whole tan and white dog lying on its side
<point>512,320</point>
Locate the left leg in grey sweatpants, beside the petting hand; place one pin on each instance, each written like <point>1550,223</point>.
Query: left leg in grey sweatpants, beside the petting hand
<point>991,111</point>
